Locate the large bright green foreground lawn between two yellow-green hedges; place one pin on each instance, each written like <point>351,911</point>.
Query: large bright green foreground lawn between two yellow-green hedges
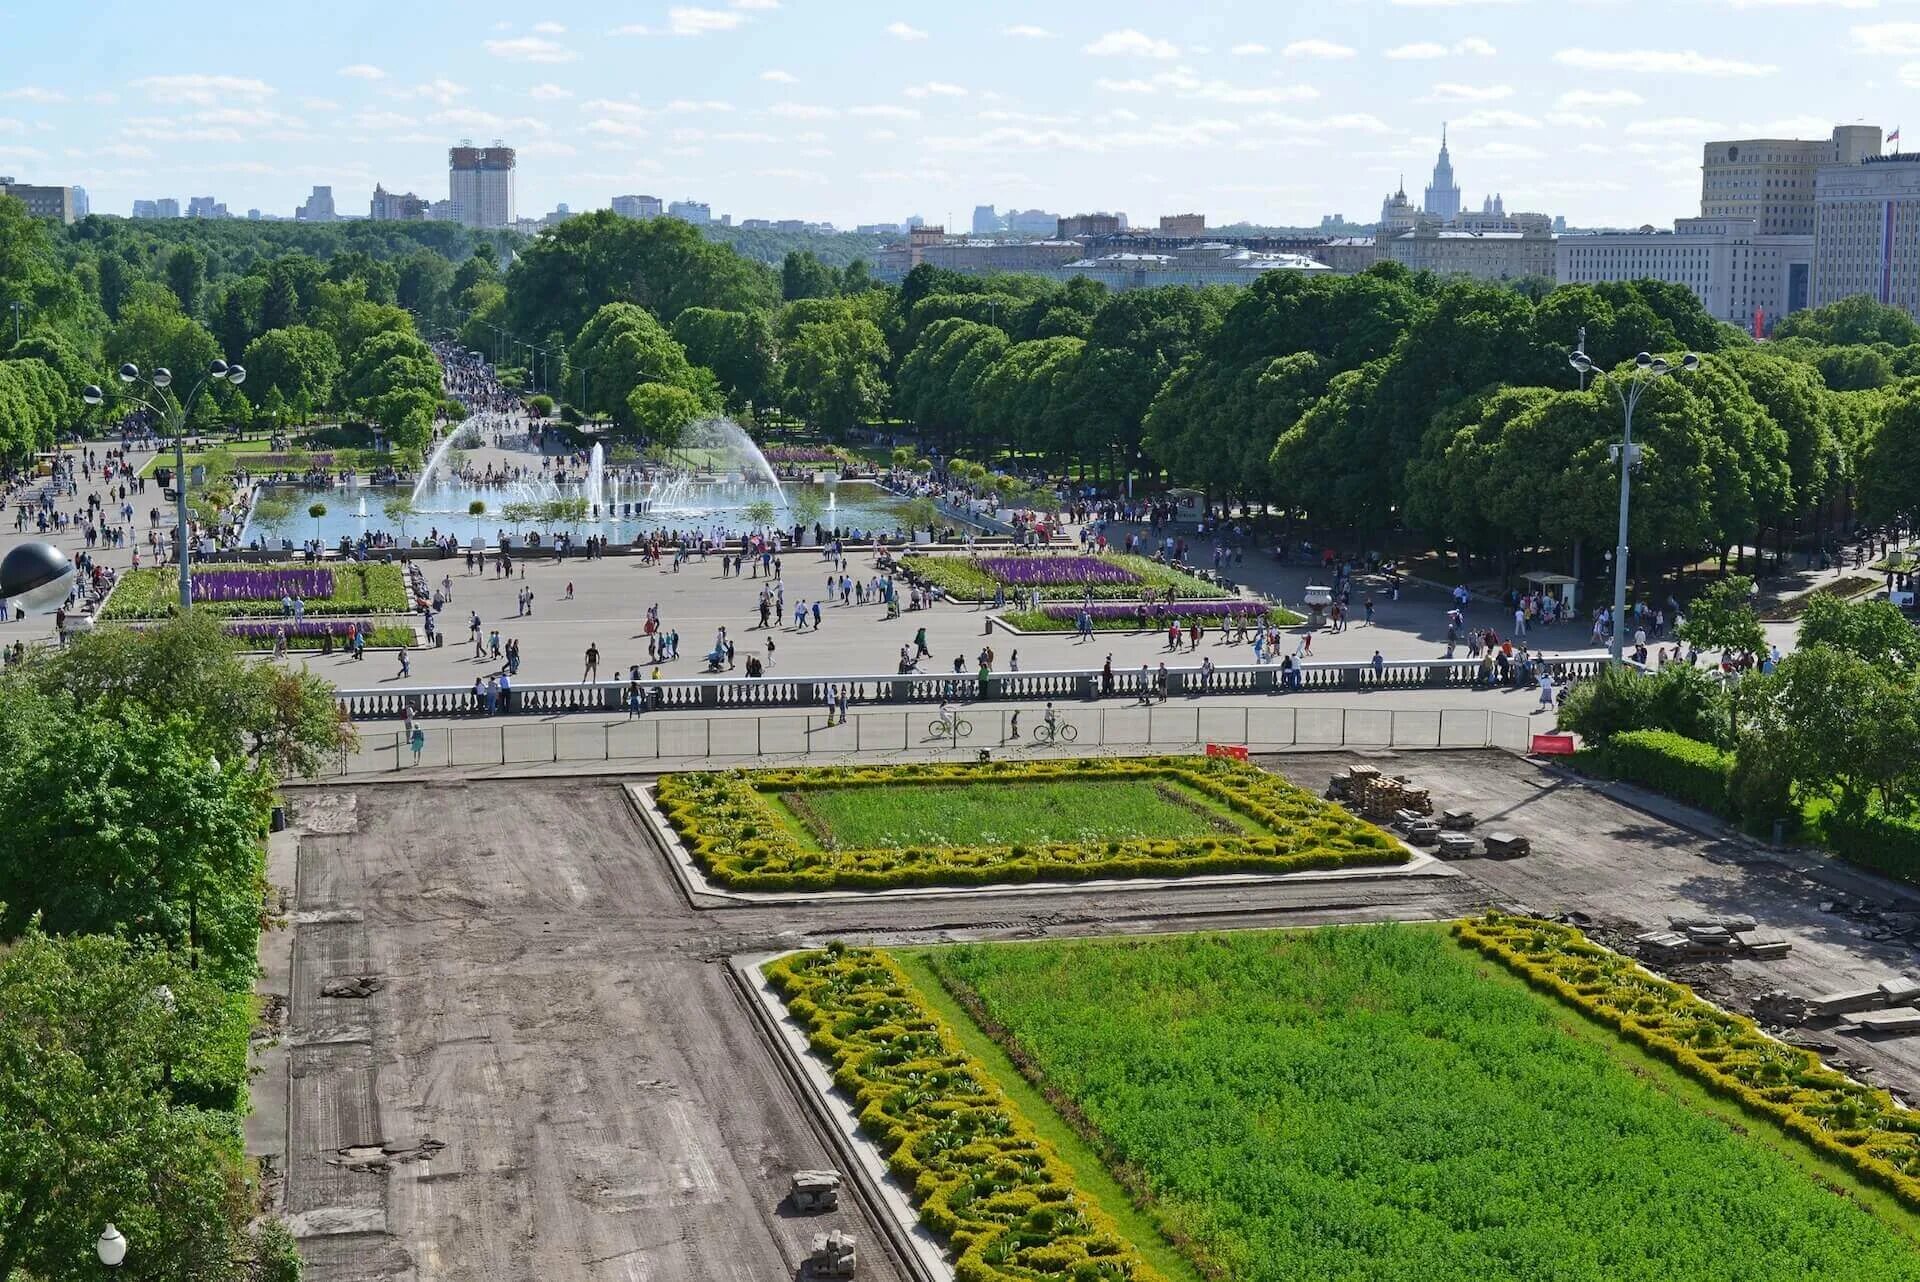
<point>1381,1103</point>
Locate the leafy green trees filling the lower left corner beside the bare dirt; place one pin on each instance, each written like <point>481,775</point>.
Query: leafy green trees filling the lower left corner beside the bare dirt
<point>137,782</point>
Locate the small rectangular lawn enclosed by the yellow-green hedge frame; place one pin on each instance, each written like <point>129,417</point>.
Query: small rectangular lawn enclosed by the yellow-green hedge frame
<point>971,815</point>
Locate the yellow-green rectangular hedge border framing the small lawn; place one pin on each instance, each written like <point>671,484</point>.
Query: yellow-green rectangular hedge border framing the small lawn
<point>734,828</point>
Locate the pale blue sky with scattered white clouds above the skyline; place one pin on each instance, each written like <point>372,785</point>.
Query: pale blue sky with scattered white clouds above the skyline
<point>859,112</point>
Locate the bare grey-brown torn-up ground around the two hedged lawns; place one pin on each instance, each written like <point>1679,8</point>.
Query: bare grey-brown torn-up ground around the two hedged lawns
<point>537,1066</point>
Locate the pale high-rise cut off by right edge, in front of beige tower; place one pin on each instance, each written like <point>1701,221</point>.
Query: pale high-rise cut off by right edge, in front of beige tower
<point>1867,229</point>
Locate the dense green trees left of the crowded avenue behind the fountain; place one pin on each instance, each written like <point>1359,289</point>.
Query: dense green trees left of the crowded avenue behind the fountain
<point>325,318</point>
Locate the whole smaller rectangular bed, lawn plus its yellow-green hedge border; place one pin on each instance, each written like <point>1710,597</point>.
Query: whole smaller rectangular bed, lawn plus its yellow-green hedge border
<point>1003,822</point>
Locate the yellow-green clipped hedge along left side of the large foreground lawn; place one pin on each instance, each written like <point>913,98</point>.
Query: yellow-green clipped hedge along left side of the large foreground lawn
<point>984,1181</point>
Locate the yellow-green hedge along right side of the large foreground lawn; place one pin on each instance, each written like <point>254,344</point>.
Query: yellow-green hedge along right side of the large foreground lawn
<point>1858,1126</point>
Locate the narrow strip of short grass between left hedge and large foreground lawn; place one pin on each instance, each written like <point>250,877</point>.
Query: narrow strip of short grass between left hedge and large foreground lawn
<point>1090,1174</point>
